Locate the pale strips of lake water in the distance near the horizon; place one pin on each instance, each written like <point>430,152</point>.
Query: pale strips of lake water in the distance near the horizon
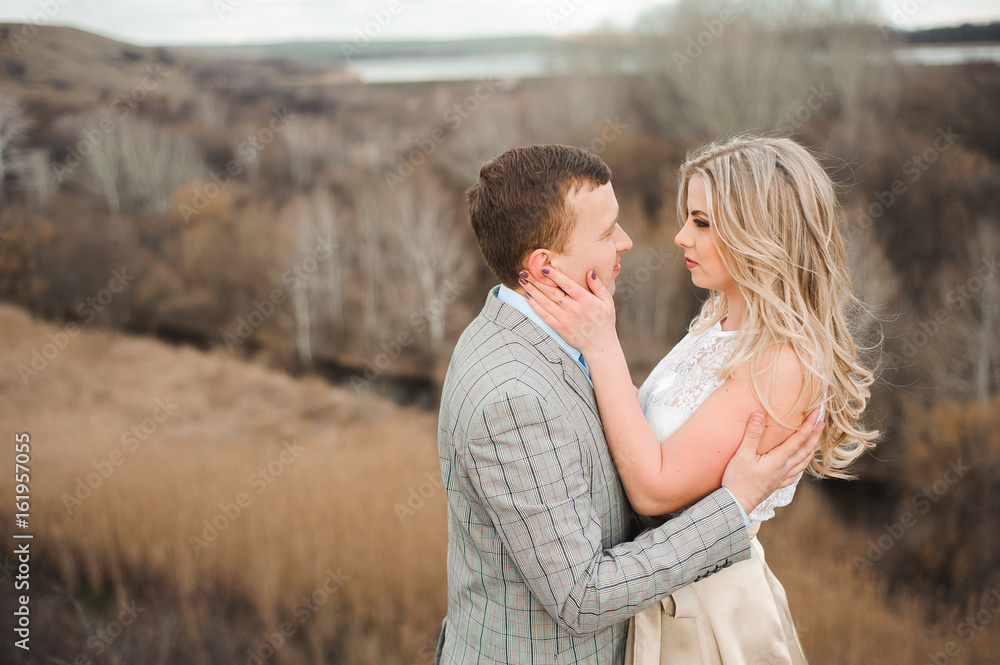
<point>504,66</point>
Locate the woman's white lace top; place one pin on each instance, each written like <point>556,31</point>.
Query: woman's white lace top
<point>682,381</point>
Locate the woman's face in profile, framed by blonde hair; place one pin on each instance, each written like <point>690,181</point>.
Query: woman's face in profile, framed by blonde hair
<point>698,242</point>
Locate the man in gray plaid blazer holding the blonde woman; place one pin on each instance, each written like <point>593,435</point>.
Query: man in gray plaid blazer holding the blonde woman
<point>541,565</point>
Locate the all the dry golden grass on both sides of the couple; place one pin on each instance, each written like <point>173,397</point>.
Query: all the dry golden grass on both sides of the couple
<point>331,509</point>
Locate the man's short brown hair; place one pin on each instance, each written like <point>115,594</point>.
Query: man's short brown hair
<point>519,203</point>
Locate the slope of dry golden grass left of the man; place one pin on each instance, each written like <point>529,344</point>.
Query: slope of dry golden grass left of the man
<point>140,455</point>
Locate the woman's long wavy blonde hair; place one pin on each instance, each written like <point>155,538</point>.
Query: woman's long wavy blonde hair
<point>774,215</point>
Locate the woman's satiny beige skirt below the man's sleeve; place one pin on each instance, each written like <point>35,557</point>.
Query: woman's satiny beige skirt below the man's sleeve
<point>736,616</point>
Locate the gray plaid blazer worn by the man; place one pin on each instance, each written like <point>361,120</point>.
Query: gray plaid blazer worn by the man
<point>541,565</point>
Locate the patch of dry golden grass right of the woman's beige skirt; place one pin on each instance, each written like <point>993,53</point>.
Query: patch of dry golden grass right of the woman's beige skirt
<point>846,617</point>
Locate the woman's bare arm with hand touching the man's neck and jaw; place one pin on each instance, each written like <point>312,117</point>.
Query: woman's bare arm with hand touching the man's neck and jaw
<point>660,477</point>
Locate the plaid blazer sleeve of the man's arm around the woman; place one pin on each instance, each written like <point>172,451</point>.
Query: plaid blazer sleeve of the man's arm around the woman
<point>531,471</point>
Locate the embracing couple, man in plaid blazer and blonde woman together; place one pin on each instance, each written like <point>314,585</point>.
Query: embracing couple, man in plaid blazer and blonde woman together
<point>549,453</point>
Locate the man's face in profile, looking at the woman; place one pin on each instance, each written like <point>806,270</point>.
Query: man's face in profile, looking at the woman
<point>596,242</point>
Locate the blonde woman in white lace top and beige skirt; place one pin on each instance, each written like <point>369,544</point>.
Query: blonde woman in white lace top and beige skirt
<point>760,232</point>
